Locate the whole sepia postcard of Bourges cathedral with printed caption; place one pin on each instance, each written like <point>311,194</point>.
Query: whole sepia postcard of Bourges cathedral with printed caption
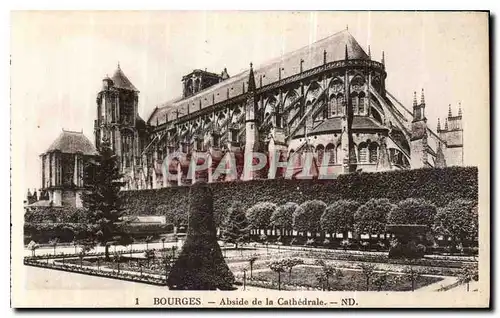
<point>263,159</point>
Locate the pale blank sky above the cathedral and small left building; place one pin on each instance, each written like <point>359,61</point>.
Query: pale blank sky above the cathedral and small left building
<point>58,60</point>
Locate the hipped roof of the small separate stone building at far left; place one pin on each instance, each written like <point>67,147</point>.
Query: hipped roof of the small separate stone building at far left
<point>72,142</point>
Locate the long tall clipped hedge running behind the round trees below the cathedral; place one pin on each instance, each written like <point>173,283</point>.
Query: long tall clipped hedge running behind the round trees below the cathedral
<point>437,185</point>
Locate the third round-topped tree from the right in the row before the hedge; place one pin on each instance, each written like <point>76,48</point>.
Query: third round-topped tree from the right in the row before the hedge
<point>371,217</point>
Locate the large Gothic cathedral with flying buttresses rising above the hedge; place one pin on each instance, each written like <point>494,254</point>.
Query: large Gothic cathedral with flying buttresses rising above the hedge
<point>328,98</point>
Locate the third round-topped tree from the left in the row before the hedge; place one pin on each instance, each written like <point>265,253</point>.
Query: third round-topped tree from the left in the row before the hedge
<point>306,217</point>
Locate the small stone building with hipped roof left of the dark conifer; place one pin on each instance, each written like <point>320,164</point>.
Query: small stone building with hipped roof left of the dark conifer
<point>62,170</point>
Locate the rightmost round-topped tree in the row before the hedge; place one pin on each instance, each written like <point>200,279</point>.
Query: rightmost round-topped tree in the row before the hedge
<point>459,220</point>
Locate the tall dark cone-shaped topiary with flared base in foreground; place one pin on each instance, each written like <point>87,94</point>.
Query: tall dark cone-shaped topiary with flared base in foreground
<point>200,265</point>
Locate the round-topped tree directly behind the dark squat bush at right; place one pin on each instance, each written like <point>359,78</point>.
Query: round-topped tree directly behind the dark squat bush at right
<point>413,211</point>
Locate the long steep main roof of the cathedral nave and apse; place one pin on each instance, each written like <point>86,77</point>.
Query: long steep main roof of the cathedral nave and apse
<point>267,73</point>
